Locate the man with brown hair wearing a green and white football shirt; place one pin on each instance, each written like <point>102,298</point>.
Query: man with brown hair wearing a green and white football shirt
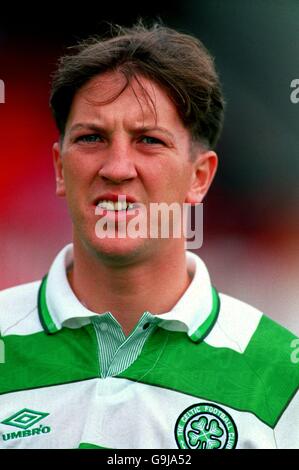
<point>125,343</point>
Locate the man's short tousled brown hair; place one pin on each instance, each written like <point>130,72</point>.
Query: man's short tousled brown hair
<point>176,61</point>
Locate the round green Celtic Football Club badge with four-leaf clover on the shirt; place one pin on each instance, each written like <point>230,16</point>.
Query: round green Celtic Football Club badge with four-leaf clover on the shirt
<point>205,426</point>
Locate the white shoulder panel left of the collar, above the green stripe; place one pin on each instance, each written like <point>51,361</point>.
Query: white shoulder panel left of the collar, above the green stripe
<point>17,304</point>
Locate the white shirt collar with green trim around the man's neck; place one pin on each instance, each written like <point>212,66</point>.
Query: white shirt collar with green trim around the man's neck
<point>195,313</point>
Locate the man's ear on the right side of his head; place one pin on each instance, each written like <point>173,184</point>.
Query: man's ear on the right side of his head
<point>203,172</point>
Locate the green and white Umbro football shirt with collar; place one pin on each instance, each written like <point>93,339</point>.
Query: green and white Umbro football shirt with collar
<point>213,372</point>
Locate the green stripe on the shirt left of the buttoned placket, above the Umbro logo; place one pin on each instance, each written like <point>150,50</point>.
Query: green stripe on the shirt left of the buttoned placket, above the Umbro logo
<point>40,360</point>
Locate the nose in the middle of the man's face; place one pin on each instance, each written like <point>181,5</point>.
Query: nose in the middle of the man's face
<point>118,165</point>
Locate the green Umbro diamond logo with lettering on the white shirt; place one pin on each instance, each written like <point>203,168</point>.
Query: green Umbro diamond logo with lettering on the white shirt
<point>25,419</point>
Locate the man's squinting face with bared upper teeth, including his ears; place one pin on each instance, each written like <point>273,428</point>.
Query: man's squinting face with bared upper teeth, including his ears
<point>123,148</point>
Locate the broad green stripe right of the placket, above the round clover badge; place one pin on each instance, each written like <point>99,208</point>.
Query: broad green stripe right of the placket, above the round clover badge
<point>251,381</point>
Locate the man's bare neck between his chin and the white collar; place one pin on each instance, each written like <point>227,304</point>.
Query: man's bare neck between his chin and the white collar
<point>155,284</point>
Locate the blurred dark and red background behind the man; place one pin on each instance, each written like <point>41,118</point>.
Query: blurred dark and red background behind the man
<point>251,223</point>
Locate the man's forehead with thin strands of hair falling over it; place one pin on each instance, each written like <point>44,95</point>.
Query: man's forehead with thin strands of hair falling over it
<point>108,96</point>
